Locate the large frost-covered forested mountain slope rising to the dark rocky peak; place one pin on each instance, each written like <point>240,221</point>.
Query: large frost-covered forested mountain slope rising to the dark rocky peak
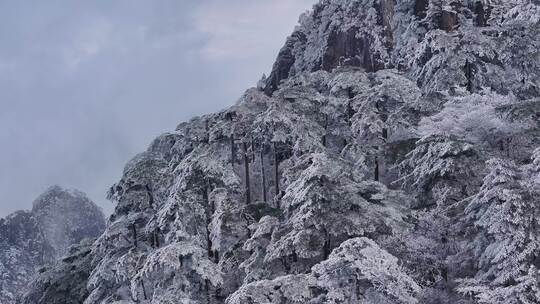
<point>391,156</point>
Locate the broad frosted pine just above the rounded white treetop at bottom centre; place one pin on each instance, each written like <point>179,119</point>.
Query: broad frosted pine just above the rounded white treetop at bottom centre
<point>326,203</point>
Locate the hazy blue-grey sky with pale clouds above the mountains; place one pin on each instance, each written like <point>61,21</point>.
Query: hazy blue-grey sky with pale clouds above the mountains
<point>86,85</point>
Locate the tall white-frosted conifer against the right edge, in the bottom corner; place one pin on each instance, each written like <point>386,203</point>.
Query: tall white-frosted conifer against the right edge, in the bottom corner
<point>508,243</point>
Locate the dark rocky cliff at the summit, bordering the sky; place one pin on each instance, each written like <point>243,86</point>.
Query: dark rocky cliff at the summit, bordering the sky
<point>321,43</point>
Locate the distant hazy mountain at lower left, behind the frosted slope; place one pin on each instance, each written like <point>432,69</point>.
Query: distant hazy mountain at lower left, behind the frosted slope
<point>31,239</point>
